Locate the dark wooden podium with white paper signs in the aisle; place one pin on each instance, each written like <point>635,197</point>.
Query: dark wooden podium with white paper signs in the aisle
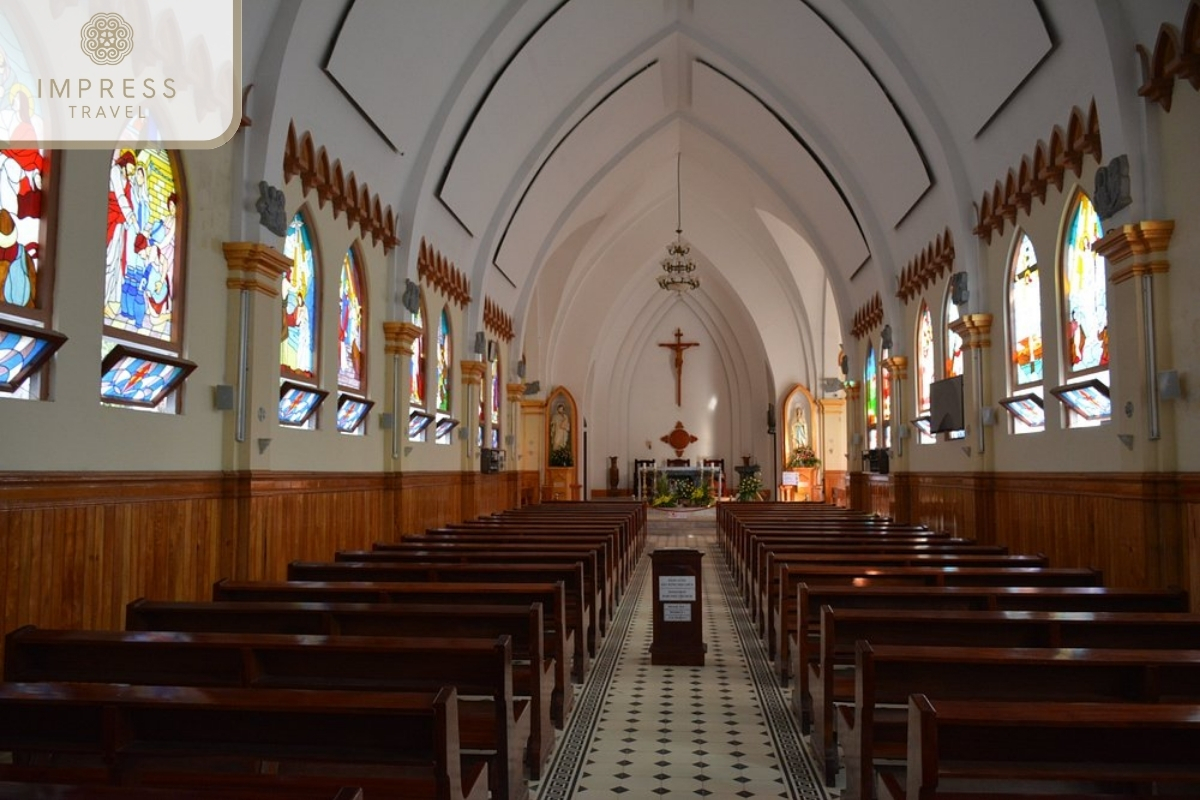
<point>679,629</point>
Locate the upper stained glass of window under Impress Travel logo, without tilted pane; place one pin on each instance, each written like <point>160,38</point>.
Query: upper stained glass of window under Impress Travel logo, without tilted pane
<point>142,257</point>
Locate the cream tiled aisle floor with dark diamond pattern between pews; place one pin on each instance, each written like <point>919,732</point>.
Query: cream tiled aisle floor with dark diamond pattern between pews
<point>719,731</point>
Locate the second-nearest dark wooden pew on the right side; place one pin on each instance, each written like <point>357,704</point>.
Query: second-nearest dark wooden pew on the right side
<point>874,726</point>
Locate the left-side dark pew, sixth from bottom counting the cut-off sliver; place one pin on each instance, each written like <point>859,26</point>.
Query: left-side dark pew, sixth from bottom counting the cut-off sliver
<point>580,610</point>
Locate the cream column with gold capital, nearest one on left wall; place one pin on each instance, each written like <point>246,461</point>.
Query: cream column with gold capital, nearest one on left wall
<point>253,356</point>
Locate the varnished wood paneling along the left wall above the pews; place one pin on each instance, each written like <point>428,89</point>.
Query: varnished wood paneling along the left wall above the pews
<point>75,549</point>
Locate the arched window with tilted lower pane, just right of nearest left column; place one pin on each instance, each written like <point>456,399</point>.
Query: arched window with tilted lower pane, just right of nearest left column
<point>299,395</point>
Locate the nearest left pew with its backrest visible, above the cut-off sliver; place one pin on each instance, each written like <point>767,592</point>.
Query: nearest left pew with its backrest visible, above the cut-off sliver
<point>187,737</point>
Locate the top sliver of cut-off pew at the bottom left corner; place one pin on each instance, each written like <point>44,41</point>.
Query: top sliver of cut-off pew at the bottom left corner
<point>11,791</point>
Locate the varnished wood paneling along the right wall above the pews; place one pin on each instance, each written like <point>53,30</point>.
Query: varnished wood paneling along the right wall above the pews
<point>1141,530</point>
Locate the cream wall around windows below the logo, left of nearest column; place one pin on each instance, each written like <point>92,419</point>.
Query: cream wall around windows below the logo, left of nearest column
<point>74,431</point>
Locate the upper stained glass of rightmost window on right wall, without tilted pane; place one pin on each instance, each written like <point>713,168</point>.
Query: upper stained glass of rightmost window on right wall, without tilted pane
<point>1087,316</point>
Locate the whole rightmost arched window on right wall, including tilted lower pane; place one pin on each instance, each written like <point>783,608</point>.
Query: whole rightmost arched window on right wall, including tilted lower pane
<point>1085,315</point>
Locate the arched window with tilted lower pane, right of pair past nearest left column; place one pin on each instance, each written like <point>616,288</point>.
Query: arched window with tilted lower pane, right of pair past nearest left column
<point>352,326</point>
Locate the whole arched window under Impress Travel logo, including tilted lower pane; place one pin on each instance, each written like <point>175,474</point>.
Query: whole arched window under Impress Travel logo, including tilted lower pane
<point>143,303</point>
